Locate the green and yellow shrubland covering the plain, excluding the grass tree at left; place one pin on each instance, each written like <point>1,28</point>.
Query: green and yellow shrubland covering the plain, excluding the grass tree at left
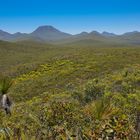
<point>71,92</point>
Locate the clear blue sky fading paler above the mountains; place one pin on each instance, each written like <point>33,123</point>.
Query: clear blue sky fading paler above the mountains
<point>71,16</point>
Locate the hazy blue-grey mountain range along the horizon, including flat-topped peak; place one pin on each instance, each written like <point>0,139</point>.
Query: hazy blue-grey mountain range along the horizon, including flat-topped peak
<point>53,35</point>
